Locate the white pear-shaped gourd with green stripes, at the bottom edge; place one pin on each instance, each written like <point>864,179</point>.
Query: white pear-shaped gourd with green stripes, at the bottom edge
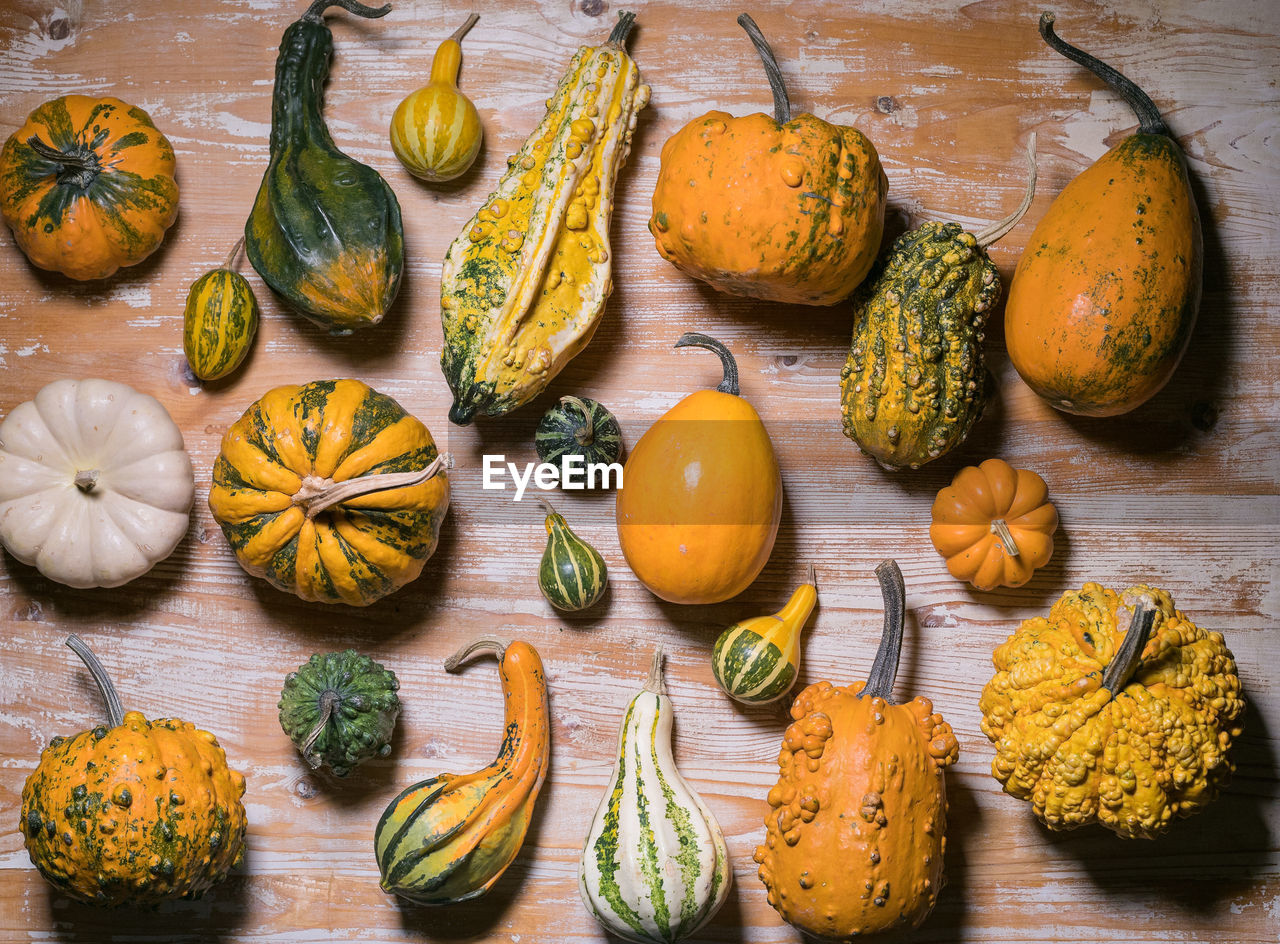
<point>655,867</point>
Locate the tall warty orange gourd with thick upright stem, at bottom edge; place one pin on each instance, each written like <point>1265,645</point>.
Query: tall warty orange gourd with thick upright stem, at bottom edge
<point>856,831</point>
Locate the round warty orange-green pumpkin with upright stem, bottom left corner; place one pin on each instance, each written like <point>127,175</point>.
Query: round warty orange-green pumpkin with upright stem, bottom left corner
<point>134,812</point>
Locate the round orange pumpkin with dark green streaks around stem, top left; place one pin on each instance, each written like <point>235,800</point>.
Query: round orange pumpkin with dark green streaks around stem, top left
<point>88,186</point>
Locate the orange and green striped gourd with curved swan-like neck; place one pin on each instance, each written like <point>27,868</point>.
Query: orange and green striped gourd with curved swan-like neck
<point>449,840</point>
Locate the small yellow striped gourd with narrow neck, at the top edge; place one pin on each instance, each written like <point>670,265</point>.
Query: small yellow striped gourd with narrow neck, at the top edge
<point>436,131</point>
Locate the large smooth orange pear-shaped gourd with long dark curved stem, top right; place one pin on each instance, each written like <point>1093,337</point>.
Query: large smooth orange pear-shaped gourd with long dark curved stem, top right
<point>1105,296</point>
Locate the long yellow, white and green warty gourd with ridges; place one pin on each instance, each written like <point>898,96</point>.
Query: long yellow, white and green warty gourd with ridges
<point>524,286</point>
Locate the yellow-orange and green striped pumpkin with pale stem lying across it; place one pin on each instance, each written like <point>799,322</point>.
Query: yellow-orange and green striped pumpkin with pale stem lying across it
<point>331,492</point>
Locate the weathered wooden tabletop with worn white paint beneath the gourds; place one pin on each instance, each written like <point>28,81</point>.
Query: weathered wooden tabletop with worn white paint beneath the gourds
<point>1182,493</point>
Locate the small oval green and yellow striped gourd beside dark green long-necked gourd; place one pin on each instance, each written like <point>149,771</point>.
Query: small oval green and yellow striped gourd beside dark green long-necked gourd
<point>221,320</point>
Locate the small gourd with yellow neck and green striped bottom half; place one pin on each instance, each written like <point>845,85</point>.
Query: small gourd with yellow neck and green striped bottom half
<point>757,662</point>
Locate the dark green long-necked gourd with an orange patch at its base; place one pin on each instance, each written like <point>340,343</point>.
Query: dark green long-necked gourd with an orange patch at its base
<point>326,231</point>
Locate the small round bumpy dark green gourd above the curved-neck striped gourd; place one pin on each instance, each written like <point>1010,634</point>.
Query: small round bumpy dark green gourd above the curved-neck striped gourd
<point>340,709</point>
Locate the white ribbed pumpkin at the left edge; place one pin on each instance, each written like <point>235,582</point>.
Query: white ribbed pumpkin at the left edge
<point>95,485</point>
